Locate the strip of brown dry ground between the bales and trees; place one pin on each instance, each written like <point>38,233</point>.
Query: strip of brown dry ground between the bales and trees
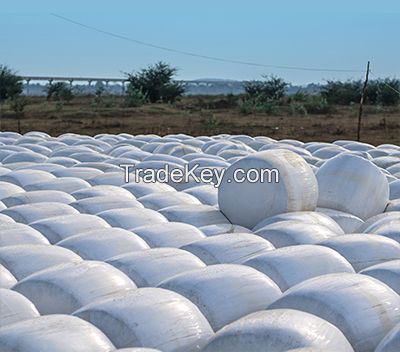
<point>202,116</point>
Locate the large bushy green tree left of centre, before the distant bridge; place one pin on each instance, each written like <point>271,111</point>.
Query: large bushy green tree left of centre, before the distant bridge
<point>156,83</point>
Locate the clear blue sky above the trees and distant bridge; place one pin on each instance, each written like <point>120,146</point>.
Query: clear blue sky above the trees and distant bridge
<point>329,34</point>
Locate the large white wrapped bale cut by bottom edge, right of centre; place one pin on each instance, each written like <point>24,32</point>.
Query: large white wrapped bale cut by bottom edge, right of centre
<point>279,330</point>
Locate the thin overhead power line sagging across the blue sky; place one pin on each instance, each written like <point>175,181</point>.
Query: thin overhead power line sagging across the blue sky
<point>207,57</point>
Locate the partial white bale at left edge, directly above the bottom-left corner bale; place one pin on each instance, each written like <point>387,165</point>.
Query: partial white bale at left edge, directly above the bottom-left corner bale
<point>15,307</point>
